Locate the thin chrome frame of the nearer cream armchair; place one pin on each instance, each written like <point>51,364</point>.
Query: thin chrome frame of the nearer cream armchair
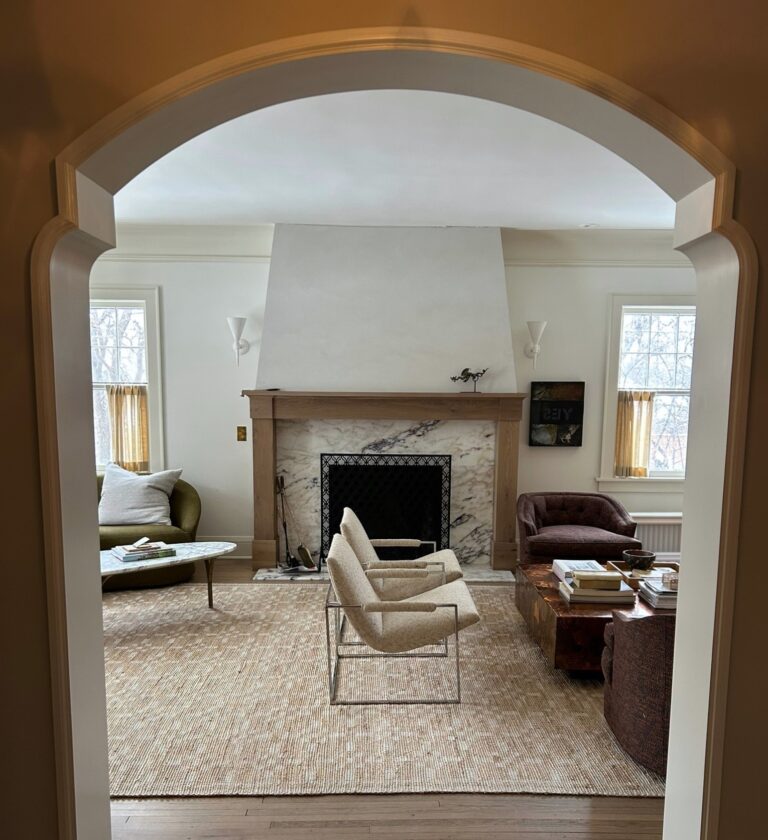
<point>335,654</point>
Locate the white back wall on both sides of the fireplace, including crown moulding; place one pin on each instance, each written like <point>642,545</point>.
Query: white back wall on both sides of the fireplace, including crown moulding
<point>204,275</point>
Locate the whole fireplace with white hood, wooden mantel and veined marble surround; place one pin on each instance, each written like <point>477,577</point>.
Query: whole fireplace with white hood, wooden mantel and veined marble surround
<point>363,329</point>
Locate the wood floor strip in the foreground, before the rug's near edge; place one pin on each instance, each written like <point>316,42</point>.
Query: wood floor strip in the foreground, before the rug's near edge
<point>417,816</point>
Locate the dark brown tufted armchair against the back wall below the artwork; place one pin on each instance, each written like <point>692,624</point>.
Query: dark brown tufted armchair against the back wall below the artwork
<point>573,526</point>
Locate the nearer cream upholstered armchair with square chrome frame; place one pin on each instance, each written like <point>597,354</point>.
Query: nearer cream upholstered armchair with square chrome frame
<point>390,628</point>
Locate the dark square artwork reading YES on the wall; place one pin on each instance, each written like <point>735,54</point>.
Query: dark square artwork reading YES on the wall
<point>557,414</point>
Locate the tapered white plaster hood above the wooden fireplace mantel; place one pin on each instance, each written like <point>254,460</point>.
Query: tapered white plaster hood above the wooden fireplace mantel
<point>385,309</point>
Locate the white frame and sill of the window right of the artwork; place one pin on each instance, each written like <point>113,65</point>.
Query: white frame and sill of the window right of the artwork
<point>607,481</point>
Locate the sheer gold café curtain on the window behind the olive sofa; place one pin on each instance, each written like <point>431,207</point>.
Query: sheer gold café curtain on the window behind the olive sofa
<point>129,426</point>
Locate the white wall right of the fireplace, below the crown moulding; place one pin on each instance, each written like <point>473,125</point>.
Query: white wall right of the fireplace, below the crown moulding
<point>575,300</point>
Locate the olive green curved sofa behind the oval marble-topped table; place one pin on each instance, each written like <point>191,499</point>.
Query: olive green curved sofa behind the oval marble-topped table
<point>185,516</point>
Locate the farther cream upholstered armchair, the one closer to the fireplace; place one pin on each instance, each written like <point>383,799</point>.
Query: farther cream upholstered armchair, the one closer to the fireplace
<point>441,566</point>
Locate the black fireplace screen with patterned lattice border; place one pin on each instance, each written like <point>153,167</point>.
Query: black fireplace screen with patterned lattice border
<point>393,496</point>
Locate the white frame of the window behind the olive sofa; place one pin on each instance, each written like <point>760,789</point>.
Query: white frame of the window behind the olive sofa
<point>149,297</point>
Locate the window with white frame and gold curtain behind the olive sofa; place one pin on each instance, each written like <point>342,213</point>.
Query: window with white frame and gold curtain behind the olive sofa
<point>125,374</point>
